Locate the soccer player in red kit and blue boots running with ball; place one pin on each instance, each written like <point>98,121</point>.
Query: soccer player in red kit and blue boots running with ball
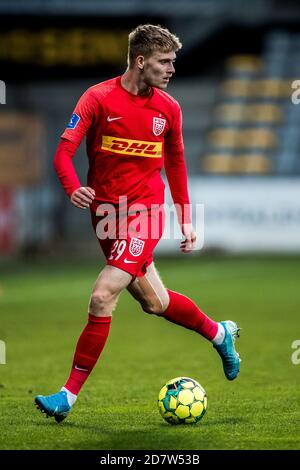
<point>133,129</point>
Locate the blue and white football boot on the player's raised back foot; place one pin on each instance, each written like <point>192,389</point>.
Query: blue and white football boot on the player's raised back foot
<point>230,358</point>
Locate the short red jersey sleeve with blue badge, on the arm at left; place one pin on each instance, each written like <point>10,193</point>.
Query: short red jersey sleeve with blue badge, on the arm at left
<point>82,118</point>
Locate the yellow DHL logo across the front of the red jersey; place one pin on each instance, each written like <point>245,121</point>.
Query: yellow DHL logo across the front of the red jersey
<point>140,148</point>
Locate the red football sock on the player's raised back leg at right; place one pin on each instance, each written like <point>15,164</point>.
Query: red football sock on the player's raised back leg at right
<point>183,311</point>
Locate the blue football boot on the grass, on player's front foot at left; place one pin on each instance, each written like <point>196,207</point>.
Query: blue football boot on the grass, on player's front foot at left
<point>56,405</point>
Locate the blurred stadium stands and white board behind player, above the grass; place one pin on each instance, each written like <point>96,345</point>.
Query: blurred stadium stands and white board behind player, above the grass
<point>233,79</point>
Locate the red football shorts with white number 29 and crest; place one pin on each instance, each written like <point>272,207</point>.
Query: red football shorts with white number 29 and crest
<point>128,241</point>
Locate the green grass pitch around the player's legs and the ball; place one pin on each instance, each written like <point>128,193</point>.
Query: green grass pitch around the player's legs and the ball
<point>43,310</point>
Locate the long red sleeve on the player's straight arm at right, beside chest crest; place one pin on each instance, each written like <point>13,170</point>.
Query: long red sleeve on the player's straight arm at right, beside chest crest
<point>175,168</point>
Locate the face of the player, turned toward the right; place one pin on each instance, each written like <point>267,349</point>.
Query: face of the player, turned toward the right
<point>158,69</point>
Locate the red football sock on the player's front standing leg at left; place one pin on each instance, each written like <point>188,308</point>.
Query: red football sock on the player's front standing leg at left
<point>88,350</point>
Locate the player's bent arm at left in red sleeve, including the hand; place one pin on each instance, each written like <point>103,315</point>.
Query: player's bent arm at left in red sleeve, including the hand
<point>81,120</point>
